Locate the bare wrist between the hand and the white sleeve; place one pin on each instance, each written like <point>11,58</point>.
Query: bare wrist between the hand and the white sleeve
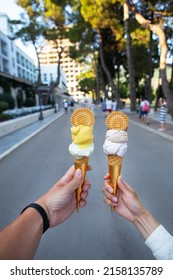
<point>146,224</point>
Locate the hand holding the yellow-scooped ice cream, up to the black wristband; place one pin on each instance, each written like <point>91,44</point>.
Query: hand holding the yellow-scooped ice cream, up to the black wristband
<point>60,201</point>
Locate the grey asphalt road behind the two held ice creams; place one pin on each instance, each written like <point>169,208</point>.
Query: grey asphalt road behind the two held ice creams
<point>93,233</point>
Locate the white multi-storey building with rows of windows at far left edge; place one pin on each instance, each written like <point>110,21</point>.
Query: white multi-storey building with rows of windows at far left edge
<point>15,65</point>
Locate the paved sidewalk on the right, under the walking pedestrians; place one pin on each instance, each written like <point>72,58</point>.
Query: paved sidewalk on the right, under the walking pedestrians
<point>154,123</point>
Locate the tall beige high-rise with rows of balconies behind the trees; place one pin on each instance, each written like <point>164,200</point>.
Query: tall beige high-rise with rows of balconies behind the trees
<point>69,67</point>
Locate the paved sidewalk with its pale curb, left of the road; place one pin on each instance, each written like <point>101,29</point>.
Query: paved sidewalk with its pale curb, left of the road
<point>13,140</point>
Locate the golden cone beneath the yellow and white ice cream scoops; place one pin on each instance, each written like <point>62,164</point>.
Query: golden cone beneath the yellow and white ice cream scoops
<point>81,164</point>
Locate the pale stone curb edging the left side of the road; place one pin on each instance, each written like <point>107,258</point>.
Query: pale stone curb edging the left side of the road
<point>6,153</point>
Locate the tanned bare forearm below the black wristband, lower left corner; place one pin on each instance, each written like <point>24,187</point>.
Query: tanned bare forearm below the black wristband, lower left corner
<point>20,239</point>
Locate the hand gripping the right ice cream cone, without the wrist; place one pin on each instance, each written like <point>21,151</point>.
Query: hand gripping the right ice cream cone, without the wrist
<point>126,203</point>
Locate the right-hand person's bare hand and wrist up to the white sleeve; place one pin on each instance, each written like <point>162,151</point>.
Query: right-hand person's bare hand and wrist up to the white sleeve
<point>128,205</point>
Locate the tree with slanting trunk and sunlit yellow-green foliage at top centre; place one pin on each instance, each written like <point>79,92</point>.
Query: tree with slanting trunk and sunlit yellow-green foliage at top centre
<point>102,15</point>
